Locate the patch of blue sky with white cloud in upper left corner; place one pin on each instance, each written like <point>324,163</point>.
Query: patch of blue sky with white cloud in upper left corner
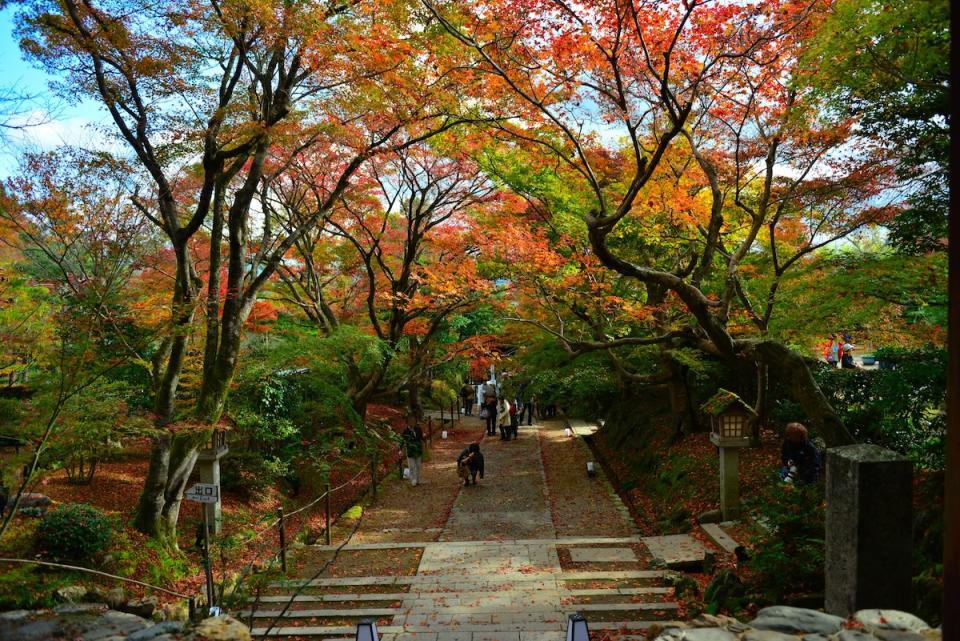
<point>63,122</point>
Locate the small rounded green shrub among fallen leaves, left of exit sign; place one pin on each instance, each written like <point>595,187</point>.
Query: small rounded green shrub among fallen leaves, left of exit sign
<point>75,532</point>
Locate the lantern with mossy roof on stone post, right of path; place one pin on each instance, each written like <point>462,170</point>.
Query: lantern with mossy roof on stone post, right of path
<point>730,418</point>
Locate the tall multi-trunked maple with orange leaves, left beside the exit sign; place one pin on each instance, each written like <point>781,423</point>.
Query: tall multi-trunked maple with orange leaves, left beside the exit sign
<point>214,101</point>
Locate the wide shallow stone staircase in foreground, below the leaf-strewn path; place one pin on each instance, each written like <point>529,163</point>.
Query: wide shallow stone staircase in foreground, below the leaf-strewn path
<point>475,591</point>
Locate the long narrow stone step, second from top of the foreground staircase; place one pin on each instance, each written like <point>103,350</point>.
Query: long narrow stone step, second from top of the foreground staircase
<point>499,579</point>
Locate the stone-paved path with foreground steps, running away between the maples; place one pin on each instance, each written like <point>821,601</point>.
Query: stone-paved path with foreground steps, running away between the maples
<point>498,570</point>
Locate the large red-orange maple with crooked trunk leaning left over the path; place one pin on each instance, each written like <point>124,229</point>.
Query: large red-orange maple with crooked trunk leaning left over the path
<point>689,85</point>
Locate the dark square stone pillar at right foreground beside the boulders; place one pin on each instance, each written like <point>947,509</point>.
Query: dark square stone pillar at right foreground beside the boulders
<point>868,530</point>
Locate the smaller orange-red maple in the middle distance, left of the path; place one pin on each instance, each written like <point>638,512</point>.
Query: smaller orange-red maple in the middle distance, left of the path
<point>406,226</point>
